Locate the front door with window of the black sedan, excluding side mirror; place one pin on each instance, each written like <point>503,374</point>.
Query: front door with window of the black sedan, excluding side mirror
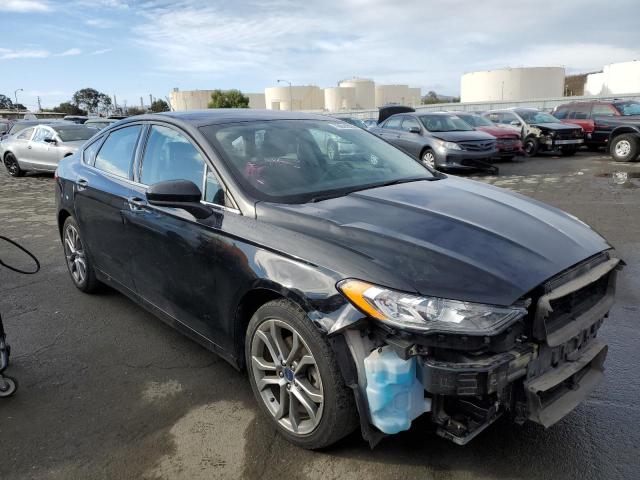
<point>174,256</point>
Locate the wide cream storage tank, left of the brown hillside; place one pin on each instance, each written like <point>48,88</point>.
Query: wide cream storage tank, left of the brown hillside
<point>512,84</point>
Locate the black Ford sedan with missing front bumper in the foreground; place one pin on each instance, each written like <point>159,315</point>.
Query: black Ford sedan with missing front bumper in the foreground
<point>364,289</point>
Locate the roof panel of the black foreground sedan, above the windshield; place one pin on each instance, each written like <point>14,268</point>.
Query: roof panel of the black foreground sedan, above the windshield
<point>214,116</point>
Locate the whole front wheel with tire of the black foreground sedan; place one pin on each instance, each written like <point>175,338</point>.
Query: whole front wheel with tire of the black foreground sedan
<point>295,377</point>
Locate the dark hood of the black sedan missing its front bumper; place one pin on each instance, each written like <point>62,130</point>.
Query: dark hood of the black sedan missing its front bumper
<point>451,238</point>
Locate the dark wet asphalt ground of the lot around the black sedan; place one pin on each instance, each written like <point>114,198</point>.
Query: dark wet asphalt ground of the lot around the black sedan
<point>109,391</point>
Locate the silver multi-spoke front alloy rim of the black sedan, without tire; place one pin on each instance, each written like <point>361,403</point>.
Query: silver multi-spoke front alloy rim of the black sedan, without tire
<point>287,376</point>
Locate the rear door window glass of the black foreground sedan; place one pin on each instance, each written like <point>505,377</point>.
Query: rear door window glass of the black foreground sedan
<point>116,153</point>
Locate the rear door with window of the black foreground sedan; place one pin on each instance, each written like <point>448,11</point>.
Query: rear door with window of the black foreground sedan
<point>102,191</point>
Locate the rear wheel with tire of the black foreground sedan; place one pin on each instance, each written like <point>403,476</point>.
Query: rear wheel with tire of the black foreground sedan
<point>78,262</point>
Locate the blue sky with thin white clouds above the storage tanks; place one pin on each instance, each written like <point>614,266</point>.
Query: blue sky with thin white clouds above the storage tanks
<point>131,49</point>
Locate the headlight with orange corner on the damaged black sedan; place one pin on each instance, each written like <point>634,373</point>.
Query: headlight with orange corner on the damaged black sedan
<point>428,314</point>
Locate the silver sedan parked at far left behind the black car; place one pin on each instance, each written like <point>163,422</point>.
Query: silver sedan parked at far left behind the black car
<point>41,147</point>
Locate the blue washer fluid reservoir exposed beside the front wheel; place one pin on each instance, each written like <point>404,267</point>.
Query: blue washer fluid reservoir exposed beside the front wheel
<point>395,394</point>
